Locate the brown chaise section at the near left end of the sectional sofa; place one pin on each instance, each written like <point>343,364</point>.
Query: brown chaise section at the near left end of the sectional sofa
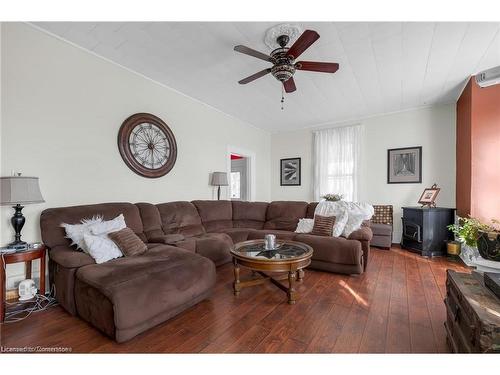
<point>128,295</point>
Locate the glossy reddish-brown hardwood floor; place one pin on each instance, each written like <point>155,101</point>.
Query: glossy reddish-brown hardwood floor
<point>394,307</point>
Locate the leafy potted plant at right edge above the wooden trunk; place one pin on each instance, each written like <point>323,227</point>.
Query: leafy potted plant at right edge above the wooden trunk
<point>478,237</point>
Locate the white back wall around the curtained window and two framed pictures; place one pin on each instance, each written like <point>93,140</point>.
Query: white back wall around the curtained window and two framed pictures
<point>433,128</point>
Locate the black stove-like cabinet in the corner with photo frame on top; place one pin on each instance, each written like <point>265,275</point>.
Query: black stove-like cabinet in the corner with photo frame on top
<point>425,229</point>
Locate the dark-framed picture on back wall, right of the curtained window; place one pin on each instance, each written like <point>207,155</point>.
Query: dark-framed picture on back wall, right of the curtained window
<point>404,165</point>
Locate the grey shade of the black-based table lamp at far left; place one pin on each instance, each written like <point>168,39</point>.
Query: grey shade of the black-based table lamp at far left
<point>19,189</point>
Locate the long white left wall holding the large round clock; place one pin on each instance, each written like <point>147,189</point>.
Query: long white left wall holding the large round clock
<point>62,108</point>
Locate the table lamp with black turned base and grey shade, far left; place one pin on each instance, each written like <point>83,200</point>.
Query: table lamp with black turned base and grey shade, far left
<point>16,191</point>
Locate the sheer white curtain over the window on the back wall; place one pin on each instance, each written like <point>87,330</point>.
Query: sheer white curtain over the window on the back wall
<point>336,161</point>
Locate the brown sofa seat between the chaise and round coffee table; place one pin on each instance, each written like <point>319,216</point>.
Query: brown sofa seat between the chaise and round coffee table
<point>214,246</point>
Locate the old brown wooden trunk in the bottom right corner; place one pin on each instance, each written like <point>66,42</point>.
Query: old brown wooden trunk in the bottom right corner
<point>472,315</point>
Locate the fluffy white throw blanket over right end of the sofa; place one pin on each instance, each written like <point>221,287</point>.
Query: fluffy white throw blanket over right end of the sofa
<point>356,213</point>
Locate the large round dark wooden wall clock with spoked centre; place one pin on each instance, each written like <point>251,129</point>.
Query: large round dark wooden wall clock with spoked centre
<point>147,145</point>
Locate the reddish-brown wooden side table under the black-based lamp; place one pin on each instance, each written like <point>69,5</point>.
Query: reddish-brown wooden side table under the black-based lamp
<point>22,256</point>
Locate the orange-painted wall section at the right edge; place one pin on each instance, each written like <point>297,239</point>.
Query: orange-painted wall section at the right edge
<point>478,152</point>
